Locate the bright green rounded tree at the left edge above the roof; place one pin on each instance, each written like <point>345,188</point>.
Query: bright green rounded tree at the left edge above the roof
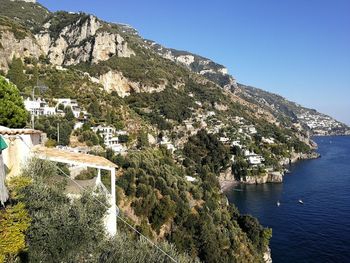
<point>12,111</point>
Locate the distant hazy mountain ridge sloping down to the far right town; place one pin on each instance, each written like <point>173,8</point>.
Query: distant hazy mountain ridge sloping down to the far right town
<point>317,123</point>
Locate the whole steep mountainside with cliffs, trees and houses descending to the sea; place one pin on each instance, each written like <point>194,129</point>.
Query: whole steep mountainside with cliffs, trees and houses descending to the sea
<point>190,125</point>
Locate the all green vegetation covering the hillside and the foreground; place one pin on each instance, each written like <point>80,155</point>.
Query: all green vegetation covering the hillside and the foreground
<point>153,187</point>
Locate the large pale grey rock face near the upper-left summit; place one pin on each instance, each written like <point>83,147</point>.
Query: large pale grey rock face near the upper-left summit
<point>82,39</point>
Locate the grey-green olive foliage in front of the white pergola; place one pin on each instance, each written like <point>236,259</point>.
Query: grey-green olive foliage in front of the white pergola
<point>68,229</point>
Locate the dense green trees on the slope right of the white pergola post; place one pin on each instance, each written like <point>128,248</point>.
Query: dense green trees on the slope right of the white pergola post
<point>200,221</point>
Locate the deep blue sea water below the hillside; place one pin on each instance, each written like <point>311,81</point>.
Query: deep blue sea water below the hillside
<point>318,230</point>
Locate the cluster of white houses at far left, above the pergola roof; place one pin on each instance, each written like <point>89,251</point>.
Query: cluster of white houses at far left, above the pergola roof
<point>40,107</point>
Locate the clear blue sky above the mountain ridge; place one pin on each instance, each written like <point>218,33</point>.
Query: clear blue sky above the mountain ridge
<point>297,48</point>
